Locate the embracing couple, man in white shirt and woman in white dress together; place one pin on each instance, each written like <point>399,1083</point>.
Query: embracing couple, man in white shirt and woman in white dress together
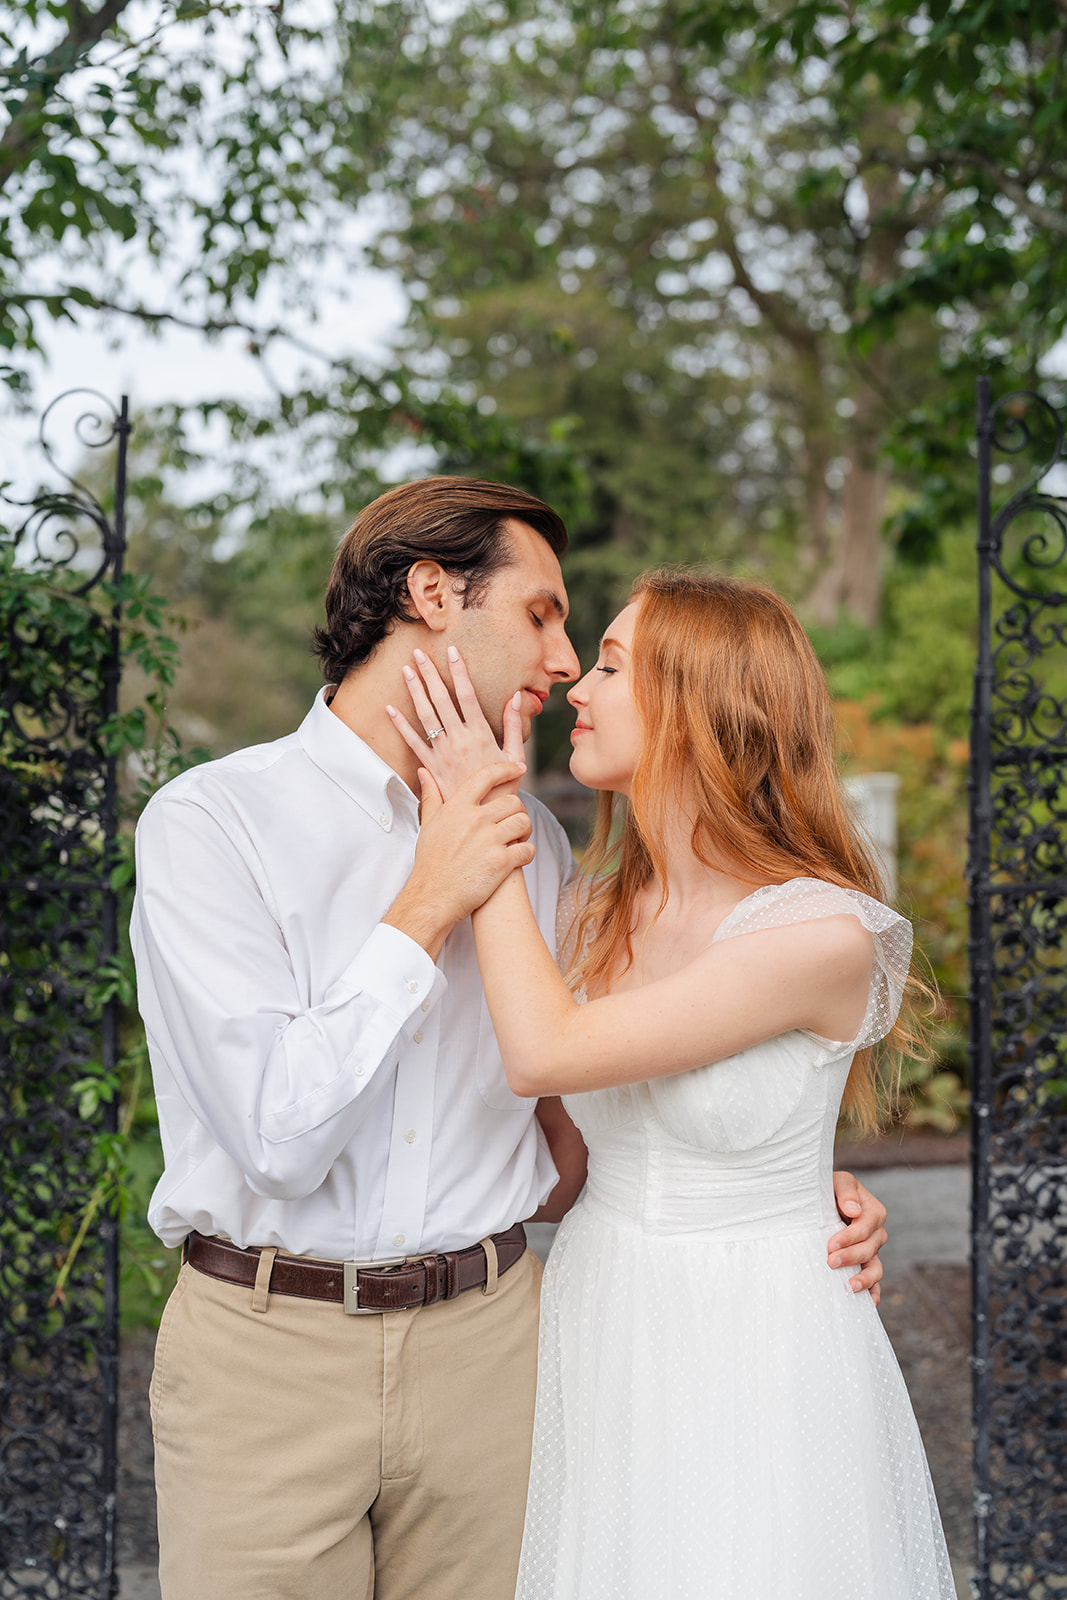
<point>380,1047</point>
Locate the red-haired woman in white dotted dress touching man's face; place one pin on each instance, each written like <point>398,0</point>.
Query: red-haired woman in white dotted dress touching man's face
<point>717,1415</point>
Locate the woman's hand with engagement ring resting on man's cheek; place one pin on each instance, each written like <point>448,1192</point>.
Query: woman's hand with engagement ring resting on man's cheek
<point>463,742</point>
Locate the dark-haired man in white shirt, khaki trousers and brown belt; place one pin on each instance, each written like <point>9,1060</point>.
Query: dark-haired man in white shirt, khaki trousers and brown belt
<point>330,1094</point>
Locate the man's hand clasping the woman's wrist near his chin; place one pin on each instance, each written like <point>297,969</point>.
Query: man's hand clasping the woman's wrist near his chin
<point>466,850</point>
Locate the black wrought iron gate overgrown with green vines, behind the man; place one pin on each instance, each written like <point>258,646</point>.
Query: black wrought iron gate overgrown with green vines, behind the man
<point>60,662</point>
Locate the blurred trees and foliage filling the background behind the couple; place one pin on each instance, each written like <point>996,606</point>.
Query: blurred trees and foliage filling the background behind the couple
<point>716,278</point>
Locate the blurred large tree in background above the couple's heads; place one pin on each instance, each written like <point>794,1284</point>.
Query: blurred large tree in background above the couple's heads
<point>605,223</point>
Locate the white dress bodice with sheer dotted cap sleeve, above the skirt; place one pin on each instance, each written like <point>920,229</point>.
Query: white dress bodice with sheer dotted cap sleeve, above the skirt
<point>743,1148</point>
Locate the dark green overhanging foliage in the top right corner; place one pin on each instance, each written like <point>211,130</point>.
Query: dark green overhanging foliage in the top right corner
<point>980,182</point>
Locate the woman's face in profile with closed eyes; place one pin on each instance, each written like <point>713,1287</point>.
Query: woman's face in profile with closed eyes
<point>609,737</point>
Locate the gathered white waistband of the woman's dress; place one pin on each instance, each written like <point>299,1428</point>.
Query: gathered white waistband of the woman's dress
<point>701,1199</point>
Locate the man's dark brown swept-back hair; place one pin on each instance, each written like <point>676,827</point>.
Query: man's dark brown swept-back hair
<point>458,522</point>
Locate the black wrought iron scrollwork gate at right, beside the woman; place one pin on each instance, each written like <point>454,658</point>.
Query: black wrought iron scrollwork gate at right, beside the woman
<point>1018,878</point>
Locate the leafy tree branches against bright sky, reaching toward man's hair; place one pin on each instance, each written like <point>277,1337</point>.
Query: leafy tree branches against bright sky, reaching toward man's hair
<point>230,145</point>
